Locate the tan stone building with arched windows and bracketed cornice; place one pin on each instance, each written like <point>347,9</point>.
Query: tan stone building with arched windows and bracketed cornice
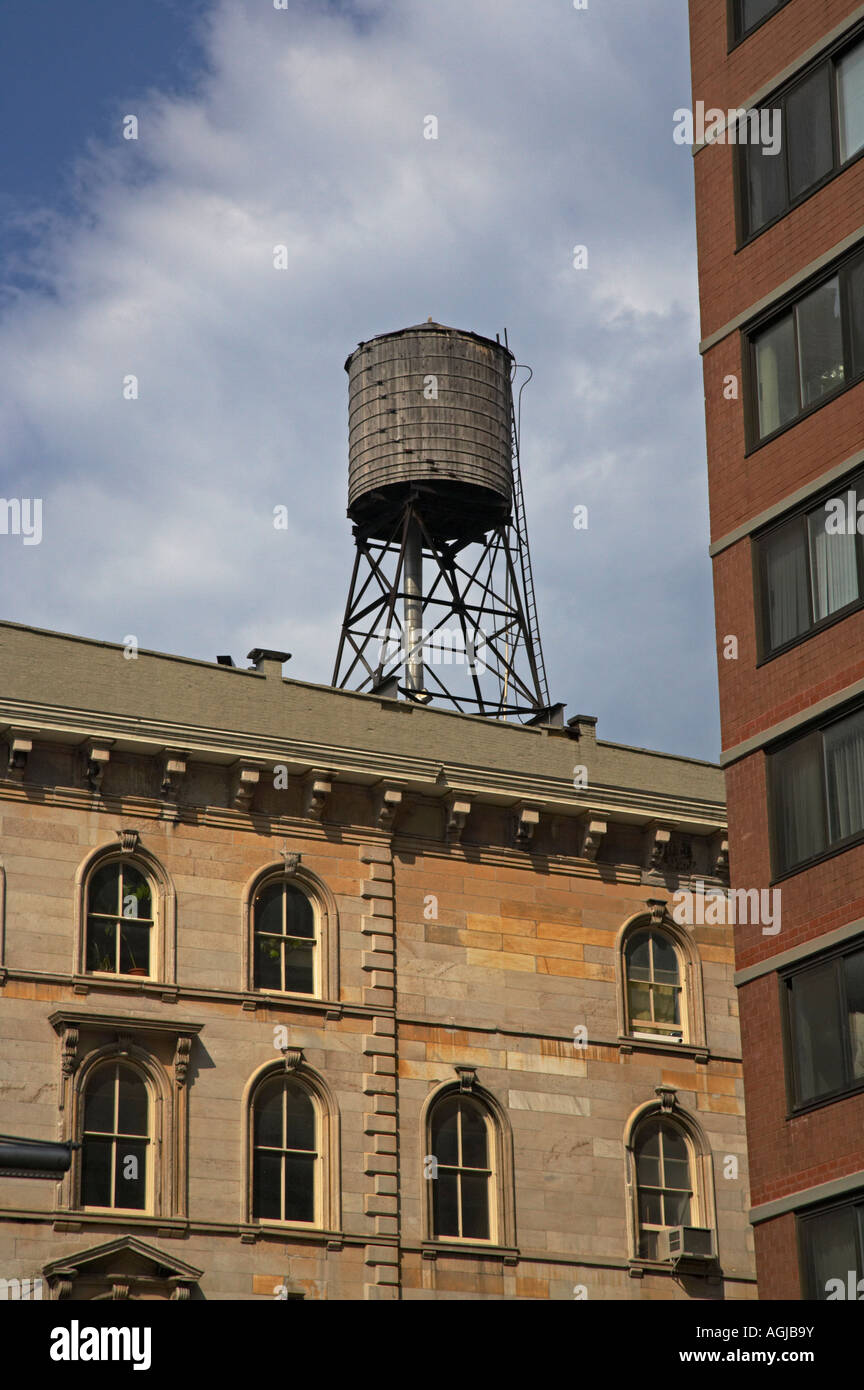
<point>349,999</point>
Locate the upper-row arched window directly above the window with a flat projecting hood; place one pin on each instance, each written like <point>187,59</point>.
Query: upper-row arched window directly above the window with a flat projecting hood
<point>120,921</point>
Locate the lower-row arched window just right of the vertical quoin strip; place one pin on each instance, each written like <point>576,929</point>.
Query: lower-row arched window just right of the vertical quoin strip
<point>463,1146</point>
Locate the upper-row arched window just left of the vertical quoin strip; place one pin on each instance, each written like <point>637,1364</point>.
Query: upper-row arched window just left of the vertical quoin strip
<point>285,939</point>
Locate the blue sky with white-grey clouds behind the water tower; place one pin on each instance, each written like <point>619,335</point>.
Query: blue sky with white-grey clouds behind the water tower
<point>305,127</point>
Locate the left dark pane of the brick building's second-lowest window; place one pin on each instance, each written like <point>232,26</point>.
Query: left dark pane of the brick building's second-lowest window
<point>816,1033</point>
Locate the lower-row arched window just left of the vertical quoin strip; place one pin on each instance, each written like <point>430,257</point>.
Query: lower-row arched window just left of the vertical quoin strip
<point>285,1153</point>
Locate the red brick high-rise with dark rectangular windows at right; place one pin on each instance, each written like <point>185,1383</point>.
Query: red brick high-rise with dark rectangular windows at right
<point>780,206</point>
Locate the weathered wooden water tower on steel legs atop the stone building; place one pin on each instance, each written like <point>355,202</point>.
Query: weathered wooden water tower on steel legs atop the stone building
<point>441,604</point>
